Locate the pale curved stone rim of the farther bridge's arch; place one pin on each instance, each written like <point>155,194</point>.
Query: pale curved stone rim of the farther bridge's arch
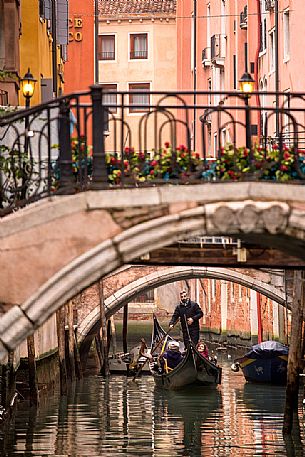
<point>168,275</point>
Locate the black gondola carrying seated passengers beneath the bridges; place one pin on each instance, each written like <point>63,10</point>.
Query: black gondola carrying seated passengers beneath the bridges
<point>193,369</point>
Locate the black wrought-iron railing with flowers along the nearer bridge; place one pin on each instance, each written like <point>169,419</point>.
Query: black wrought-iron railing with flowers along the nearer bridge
<point>80,142</point>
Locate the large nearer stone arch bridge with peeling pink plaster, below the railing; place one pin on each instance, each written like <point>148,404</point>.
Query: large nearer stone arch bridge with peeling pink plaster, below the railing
<point>53,249</point>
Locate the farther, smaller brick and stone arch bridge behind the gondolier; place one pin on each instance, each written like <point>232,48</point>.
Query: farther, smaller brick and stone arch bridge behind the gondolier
<point>124,285</point>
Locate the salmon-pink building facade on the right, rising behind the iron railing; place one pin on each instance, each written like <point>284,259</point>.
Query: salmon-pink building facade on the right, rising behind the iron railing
<point>218,41</point>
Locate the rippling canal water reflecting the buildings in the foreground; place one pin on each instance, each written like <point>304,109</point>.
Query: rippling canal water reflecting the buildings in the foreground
<point>123,417</point>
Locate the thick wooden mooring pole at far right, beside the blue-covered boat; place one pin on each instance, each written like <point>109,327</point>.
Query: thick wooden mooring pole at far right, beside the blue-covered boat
<point>295,356</point>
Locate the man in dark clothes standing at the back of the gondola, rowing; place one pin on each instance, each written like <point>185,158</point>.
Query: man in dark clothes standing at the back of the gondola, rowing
<point>189,313</point>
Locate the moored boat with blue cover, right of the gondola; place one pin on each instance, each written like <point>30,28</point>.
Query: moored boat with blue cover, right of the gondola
<point>266,363</point>
